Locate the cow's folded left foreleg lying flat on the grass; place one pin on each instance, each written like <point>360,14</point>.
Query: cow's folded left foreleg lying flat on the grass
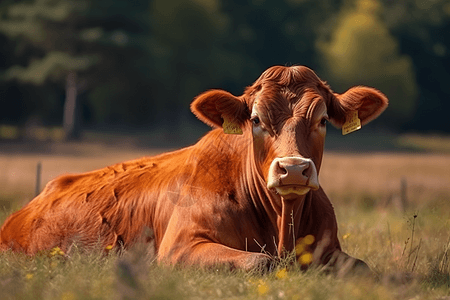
<point>209,254</point>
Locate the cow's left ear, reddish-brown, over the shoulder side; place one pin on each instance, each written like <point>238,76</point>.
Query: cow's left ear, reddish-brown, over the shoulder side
<point>213,107</point>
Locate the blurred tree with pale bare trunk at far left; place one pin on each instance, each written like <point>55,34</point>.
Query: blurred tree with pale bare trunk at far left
<point>31,22</point>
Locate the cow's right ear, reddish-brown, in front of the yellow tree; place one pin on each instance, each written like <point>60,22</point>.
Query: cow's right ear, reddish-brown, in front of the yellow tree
<point>368,102</point>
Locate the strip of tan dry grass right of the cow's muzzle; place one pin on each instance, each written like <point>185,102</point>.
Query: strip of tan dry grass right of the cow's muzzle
<point>380,174</point>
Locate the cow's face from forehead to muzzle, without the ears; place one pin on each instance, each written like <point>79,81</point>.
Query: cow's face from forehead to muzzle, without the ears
<point>288,129</point>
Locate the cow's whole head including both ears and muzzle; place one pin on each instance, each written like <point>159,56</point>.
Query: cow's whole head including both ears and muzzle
<point>285,112</point>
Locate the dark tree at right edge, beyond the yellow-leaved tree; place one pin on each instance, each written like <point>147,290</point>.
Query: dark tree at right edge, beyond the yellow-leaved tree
<point>422,29</point>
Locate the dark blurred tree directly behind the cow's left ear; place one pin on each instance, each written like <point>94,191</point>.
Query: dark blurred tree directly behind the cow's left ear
<point>188,55</point>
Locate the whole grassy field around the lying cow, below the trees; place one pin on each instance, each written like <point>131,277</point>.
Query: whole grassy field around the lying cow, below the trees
<point>393,211</point>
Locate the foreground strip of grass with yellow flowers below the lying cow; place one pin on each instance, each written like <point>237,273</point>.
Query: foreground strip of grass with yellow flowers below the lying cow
<point>131,276</point>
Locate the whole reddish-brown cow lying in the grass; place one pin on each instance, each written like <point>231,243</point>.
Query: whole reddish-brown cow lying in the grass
<point>221,200</point>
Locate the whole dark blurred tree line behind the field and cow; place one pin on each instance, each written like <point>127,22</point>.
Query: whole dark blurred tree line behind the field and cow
<point>139,63</point>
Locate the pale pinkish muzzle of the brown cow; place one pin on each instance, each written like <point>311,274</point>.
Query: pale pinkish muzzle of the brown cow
<point>292,175</point>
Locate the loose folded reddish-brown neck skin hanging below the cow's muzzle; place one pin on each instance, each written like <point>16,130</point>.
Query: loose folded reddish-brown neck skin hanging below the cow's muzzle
<point>285,215</point>
